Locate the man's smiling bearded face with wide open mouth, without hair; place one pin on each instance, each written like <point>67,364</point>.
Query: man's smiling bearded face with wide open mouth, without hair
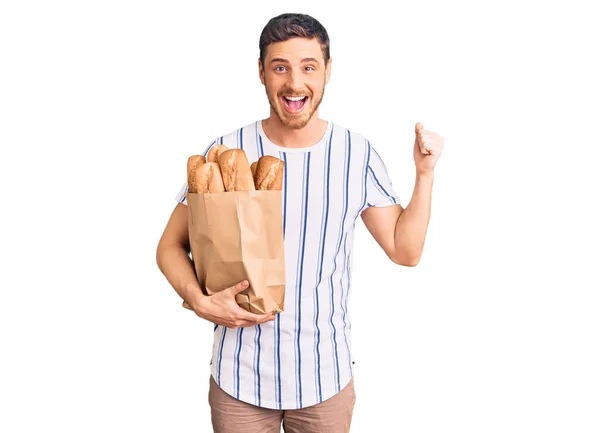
<point>294,76</point>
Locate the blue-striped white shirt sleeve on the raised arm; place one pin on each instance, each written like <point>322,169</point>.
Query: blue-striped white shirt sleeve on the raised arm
<point>380,191</point>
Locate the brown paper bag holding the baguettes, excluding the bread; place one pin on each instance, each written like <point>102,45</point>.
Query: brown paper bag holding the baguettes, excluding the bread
<point>236,236</point>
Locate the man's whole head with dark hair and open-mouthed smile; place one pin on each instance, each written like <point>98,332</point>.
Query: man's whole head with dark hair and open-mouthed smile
<point>294,66</point>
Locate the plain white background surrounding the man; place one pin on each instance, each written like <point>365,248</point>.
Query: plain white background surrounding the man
<point>496,330</point>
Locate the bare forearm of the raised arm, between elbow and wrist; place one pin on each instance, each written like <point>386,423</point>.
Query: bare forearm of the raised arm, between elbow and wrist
<point>411,227</point>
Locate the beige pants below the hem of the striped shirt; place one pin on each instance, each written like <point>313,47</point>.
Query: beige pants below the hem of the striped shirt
<point>230,415</point>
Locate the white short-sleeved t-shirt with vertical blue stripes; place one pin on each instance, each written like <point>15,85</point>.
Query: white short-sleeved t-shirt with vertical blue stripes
<point>304,356</point>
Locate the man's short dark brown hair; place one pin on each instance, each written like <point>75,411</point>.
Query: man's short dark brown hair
<point>287,26</point>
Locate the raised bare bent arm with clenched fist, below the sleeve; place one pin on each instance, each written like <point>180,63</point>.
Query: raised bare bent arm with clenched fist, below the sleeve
<point>401,232</point>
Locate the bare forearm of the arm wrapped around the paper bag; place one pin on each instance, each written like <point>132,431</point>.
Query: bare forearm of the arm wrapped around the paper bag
<point>177,267</point>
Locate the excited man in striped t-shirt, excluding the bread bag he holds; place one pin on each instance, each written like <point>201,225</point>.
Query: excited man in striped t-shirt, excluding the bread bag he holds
<point>296,367</point>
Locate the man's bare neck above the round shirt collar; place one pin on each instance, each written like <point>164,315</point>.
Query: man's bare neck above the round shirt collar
<point>294,138</point>
